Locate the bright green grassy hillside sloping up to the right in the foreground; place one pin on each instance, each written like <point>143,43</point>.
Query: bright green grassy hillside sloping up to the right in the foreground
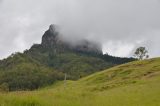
<point>132,84</point>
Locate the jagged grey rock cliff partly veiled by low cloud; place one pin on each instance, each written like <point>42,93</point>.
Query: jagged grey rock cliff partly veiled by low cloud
<point>52,39</point>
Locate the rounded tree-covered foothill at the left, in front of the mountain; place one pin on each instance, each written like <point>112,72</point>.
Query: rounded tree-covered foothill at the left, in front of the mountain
<point>20,72</point>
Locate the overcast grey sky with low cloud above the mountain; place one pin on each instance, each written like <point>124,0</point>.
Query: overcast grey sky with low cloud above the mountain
<point>119,25</point>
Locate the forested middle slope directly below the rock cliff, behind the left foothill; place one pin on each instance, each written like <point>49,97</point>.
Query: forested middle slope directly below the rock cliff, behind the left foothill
<point>75,64</point>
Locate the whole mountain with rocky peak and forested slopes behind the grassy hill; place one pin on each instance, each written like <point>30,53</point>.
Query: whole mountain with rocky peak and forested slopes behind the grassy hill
<point>45,63</point>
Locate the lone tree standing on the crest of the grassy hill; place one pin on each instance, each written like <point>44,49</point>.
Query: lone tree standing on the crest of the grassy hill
<point>141,53</point>
